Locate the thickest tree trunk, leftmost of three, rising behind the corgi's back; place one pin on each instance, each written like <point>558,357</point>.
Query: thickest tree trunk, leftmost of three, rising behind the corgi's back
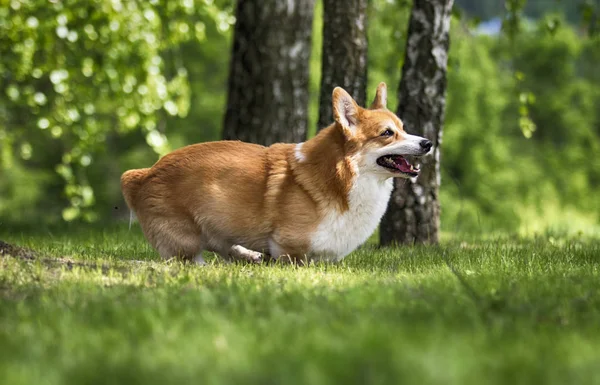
<point>268,78</point>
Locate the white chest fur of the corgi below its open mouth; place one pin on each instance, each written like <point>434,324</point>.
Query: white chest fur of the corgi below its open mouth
<point>339,234</point>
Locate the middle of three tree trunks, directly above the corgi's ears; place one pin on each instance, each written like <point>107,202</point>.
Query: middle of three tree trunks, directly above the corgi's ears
<point>344,61</point>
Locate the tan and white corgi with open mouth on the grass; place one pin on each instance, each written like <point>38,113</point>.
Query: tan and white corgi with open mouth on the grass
<point>316,200</point>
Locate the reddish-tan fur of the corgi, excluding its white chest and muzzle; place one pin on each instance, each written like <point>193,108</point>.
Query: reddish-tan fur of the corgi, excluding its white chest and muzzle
<point>250,193</point>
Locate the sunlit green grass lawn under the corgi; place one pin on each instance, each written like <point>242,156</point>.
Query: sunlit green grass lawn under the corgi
<point>503,311</point>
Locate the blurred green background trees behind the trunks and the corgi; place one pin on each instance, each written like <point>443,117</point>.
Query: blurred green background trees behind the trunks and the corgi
<point>91,88</point>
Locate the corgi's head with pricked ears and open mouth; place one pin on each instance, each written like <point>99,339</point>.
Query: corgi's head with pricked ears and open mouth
<point>376,136</point>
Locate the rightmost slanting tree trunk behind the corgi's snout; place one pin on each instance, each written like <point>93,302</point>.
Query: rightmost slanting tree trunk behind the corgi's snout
<point>413,215</point>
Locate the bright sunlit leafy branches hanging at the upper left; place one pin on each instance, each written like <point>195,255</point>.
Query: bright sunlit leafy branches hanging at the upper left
<point>75,73</point>
